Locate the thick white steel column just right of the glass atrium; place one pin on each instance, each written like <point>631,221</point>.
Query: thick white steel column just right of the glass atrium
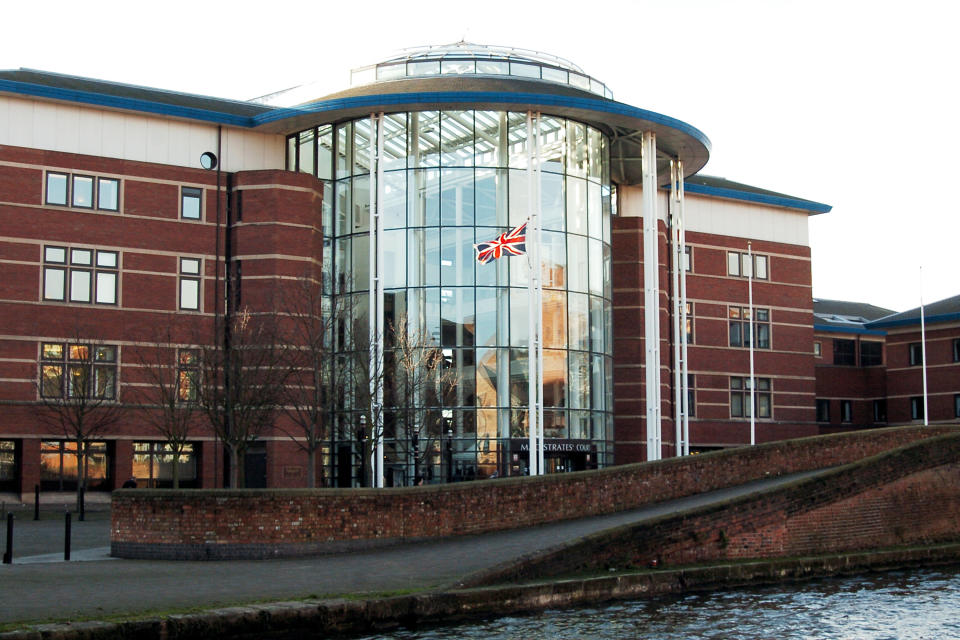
<point>651,294</point>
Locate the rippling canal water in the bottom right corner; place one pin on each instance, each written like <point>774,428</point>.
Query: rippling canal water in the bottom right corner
<point>921,604</point>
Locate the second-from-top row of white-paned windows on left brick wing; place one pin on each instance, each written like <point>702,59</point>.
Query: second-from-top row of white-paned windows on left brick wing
<point>74,274</point>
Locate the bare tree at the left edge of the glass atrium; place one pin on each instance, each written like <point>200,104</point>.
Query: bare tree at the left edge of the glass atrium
<point>309,328</point>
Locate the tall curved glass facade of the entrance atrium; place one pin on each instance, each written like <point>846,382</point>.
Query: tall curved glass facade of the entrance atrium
<point>452,179</point>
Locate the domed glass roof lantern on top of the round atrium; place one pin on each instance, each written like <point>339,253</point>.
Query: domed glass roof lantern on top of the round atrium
<point>463,58</point>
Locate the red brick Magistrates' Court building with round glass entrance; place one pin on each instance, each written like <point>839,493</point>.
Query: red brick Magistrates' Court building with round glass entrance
<point>120,239</point>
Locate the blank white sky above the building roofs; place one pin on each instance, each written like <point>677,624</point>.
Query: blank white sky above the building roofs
<point>847,102</point>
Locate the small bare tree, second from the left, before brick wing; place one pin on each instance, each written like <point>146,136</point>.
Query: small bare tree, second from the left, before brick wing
<point>170,405</point>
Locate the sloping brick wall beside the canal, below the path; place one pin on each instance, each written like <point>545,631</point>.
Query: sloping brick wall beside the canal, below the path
<point>905,497</point>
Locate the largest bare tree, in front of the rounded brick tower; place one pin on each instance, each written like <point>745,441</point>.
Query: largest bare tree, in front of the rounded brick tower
<point>240,384</point>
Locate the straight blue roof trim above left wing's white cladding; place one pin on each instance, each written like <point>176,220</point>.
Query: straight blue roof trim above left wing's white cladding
<point>130,104</point>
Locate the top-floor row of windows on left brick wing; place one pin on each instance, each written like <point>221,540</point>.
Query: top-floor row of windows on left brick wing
<point>103,194</point>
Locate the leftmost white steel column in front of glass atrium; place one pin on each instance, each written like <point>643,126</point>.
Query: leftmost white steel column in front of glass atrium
<point>376,300</point>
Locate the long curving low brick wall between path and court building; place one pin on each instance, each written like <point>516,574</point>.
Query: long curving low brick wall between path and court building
<point>223,524</point>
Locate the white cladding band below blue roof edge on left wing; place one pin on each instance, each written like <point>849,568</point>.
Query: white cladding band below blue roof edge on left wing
<point>130,136</point>
